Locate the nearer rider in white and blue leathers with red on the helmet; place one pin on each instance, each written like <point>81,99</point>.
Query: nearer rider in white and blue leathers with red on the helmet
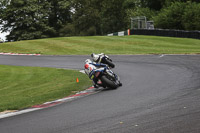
<point>91,68</point>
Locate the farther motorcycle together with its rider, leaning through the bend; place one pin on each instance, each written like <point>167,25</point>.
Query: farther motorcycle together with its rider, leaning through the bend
<point>102,58</point>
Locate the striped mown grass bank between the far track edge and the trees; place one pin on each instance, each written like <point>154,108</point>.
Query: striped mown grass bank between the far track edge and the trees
<point>109,45</point>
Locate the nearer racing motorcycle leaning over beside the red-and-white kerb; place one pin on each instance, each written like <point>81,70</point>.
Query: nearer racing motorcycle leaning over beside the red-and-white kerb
<point>108,78</point>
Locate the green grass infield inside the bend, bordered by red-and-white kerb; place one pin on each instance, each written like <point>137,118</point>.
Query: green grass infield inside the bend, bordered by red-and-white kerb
<point>22,87</point>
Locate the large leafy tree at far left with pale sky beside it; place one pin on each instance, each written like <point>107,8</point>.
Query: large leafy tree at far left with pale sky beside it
<point>27,20</point>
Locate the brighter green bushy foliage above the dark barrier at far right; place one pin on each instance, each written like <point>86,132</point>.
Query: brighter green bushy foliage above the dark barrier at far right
<point>179,15</point>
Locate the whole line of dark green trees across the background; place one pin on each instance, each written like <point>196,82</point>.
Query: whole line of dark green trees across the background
<point>34,19</point>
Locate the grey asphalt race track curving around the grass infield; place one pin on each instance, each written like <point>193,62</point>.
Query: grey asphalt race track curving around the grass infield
<point>160,94</point>
